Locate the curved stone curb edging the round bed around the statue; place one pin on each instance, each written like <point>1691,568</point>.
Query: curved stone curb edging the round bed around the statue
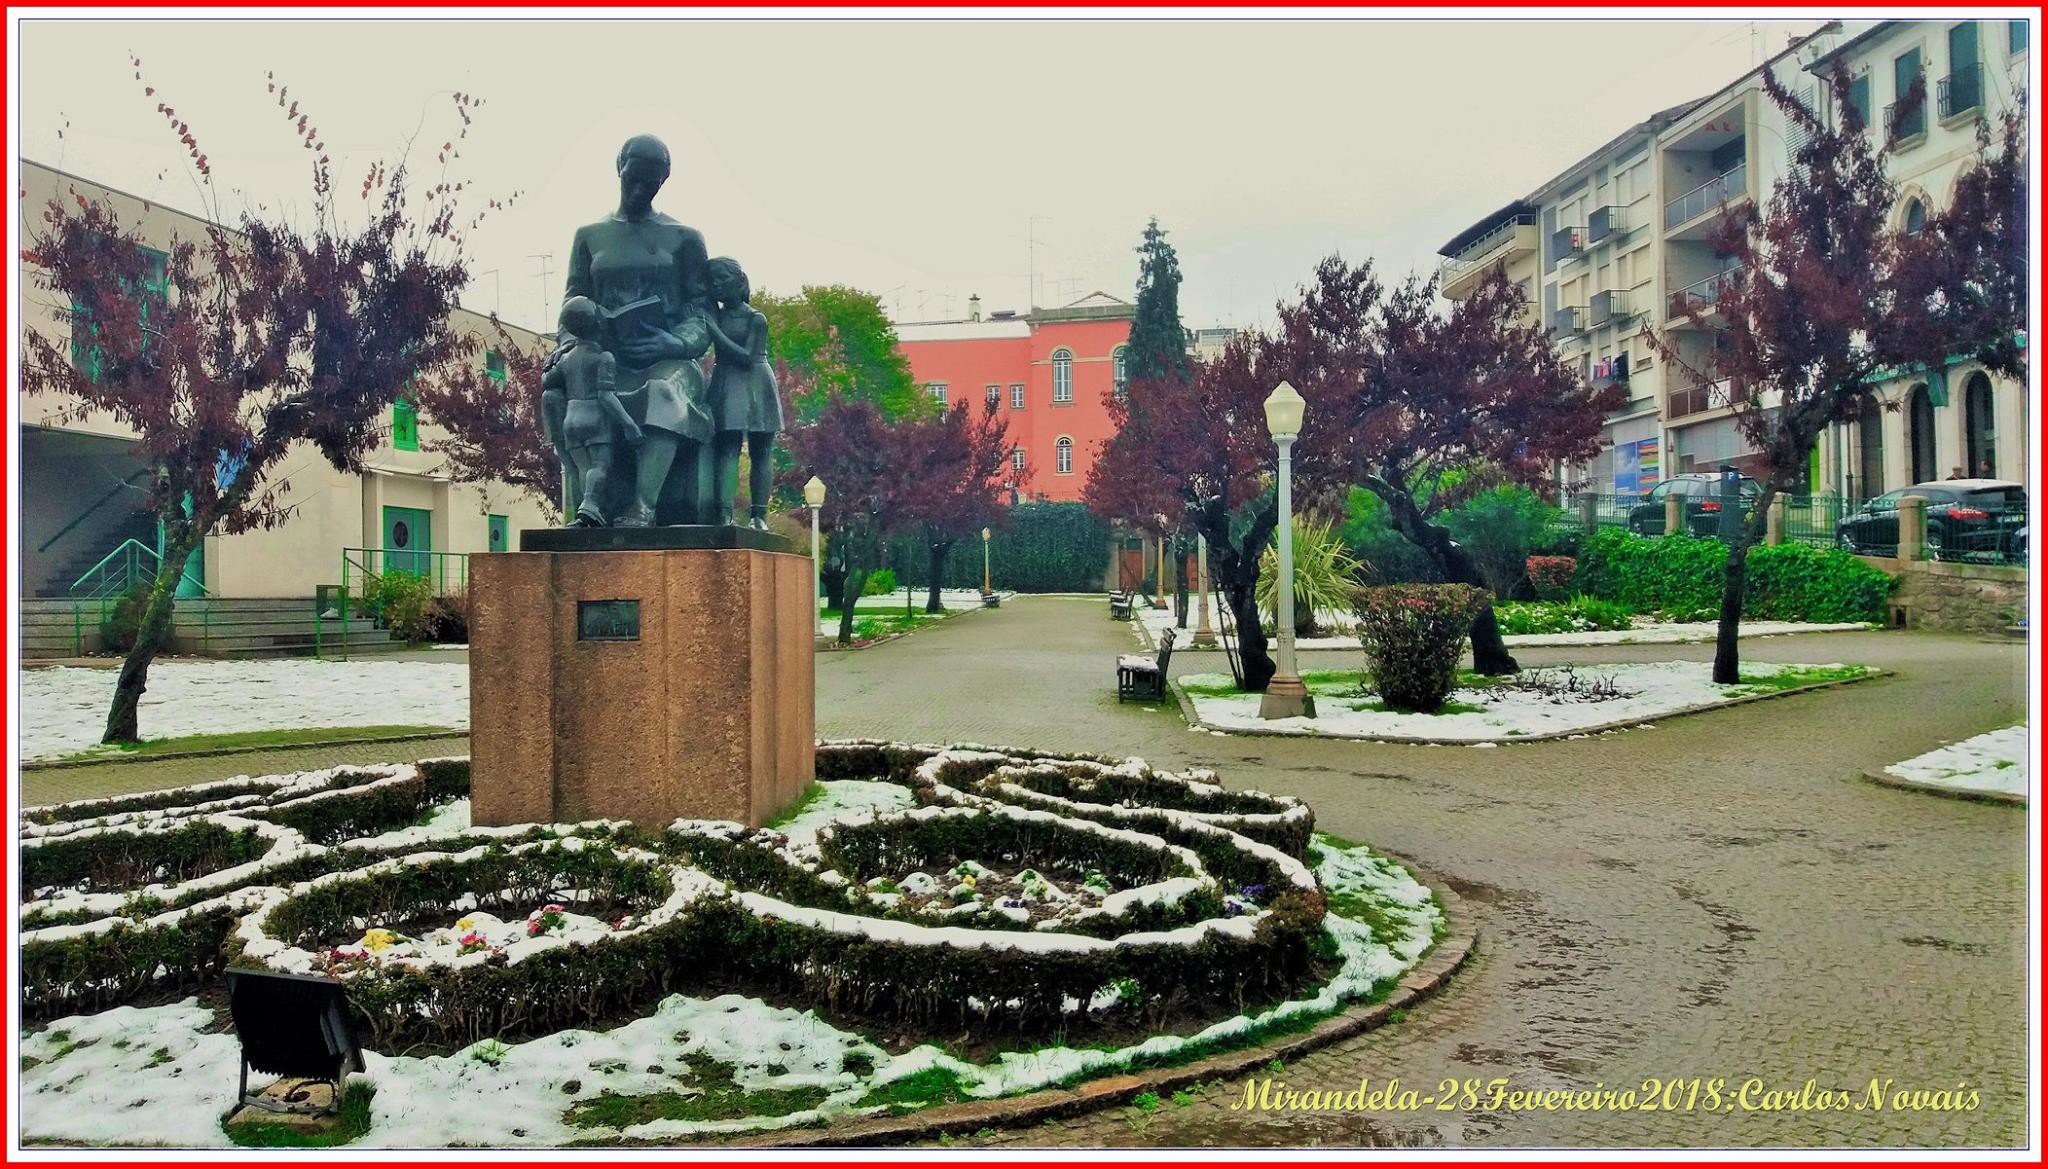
<point>1416,986</point>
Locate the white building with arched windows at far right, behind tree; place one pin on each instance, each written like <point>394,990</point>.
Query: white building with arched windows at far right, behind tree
<point>1928,425</point>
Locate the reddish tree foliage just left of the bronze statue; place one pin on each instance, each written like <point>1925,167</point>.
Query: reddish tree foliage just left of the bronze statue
<point>490,427</point>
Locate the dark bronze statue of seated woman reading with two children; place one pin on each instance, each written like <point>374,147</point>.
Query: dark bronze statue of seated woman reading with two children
<point>646,439</point>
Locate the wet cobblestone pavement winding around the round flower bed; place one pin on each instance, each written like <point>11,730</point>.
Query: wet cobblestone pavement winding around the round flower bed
<point>1717,896</point>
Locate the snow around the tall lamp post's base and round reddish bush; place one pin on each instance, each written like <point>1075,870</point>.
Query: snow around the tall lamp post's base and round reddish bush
<point>1510,711</point>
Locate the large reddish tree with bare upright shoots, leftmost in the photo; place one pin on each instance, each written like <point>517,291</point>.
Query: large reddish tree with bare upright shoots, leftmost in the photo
<point>247,343</point>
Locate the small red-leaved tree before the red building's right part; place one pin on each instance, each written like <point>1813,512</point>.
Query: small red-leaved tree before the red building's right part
<point>955,484</point>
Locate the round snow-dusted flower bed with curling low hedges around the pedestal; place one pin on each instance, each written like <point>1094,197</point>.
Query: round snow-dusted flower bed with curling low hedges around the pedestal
<point>546,973</point>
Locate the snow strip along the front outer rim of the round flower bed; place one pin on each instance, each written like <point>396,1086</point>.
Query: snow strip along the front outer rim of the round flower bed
<point>155,1076</point>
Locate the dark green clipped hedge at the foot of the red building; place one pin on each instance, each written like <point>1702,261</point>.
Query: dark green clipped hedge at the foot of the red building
<point>1046,548</point>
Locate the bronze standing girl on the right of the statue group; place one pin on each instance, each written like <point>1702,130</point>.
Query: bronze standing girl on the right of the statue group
<point>744,400</point>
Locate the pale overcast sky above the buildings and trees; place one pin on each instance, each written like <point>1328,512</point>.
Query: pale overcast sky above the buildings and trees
<point>914,159</point>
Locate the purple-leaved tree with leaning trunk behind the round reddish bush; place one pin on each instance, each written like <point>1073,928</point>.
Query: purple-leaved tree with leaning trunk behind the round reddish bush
<point>1426,406</point>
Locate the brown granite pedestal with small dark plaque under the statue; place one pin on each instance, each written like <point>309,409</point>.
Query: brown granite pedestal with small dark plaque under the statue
<point>646,683</point>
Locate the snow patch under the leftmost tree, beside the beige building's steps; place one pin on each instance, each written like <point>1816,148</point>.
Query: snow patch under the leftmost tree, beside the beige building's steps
<point>65,709</point>
